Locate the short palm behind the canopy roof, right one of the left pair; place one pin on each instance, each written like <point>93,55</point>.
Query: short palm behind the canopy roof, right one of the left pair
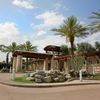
<point>27,46</point>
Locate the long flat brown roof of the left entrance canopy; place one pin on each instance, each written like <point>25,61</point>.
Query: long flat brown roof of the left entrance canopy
<point>31,54</point>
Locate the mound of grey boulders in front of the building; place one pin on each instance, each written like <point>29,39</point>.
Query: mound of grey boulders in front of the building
<point>48,76</point>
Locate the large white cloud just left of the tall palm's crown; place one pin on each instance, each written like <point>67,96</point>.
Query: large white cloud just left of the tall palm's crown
<point>50,19</point>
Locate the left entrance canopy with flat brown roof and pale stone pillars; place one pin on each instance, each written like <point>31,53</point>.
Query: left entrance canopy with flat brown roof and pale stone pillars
<point>18,55</point>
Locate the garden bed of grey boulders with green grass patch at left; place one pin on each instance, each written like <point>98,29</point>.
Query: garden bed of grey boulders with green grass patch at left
<point>44,77</point>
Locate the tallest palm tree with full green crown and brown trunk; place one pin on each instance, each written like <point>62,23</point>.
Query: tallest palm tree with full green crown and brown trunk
<point>71,29</point>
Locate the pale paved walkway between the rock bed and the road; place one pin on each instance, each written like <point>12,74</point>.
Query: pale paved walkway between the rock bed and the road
<point>5,78</point>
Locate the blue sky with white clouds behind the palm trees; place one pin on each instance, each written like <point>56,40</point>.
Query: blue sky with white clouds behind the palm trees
<point>32,20</point>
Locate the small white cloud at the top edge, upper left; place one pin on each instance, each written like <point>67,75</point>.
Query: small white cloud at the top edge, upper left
<point>27,4</point>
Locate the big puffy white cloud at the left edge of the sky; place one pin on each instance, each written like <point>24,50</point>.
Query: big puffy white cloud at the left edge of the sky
<point>8,33</point>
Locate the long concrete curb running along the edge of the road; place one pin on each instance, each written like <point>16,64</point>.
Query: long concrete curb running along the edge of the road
<point>48,85</point>
